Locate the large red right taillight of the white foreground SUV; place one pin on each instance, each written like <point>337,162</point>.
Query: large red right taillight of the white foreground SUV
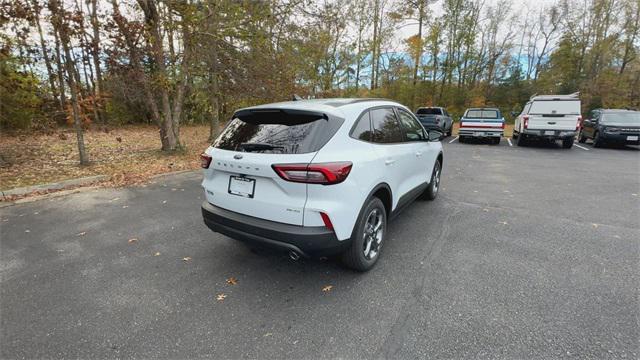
<point>322,173</point>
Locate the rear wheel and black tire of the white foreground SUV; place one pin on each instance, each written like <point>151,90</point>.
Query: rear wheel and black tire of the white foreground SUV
<point>357,257</point>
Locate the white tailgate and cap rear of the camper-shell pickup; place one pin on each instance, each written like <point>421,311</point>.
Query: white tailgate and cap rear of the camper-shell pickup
<point>554,114</point>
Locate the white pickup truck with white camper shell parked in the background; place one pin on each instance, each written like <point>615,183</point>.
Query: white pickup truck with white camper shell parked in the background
<point>549,117</point>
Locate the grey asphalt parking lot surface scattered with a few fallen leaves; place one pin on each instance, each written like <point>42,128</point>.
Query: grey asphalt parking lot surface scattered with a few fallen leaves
<point>526,253</point>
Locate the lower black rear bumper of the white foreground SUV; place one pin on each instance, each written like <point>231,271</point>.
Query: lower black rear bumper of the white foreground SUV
<point>310,241</point>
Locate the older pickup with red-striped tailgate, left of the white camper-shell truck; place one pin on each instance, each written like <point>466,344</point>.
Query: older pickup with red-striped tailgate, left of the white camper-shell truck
<point>481,123</point>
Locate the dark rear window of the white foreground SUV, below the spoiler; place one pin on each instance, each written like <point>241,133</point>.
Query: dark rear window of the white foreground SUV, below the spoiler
<point>277,131</point>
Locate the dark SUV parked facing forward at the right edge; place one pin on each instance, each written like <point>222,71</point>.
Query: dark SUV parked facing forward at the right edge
<point>611,126</point>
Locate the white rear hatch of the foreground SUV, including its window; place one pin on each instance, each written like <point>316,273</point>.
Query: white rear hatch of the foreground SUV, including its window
<point>240,177</point>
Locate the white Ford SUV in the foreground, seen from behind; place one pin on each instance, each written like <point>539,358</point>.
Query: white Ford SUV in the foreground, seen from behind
<point>319,177</point>
